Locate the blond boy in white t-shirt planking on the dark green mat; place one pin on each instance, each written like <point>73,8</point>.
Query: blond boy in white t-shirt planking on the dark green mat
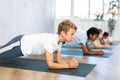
<point>43,43</point>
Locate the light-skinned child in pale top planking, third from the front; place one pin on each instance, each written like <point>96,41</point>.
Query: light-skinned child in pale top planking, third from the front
<point>99,42</point>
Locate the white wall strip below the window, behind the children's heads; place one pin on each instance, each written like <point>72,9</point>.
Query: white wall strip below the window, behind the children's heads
<point>84,24</point>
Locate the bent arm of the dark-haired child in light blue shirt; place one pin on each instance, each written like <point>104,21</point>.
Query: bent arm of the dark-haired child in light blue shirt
<point>86,50</point>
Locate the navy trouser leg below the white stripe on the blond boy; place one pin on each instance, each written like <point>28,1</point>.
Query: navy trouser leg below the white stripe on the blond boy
<point>12,53</point>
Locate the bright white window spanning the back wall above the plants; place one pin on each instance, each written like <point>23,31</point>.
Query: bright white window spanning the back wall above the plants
<point>83,9</point>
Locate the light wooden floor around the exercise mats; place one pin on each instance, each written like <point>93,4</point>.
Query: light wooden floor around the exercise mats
<point>106,69</point>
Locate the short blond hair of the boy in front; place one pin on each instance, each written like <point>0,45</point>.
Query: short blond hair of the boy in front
<point>65,25</point>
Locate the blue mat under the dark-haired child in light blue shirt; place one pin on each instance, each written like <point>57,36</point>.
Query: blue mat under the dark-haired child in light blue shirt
<point>80,53</point>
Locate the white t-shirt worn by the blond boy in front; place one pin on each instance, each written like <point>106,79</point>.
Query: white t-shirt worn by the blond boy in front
<point>39,43</point>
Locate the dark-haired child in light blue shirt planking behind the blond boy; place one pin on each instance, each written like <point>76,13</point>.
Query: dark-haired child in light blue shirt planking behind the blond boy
<point>82,39</point>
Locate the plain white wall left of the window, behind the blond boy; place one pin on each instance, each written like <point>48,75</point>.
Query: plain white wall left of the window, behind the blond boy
<point>25,17</point>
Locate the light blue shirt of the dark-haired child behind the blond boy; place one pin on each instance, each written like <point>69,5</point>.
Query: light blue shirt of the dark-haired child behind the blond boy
<point>79,37</point>
